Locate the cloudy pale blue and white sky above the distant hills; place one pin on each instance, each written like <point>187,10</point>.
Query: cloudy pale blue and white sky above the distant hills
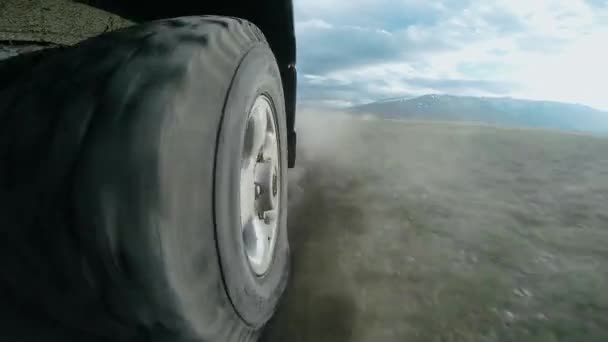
<point>358,51</point>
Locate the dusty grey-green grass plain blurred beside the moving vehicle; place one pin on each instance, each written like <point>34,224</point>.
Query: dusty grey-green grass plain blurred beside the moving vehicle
<point>413,231</point>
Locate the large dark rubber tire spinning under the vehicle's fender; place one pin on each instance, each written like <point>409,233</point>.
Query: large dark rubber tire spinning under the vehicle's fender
<point>121,160</point>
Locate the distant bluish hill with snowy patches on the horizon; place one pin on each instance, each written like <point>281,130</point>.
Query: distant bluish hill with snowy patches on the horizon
<point>500,111</point>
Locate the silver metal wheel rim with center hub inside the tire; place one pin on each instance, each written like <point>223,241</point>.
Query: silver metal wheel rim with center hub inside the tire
<point>260,184</point>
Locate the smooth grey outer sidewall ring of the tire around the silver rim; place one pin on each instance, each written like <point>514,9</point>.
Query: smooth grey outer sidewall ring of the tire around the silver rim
<point>254,297</point>
